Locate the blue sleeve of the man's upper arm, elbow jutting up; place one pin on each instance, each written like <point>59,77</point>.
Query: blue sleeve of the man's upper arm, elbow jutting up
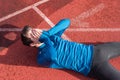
<point>60,27</point>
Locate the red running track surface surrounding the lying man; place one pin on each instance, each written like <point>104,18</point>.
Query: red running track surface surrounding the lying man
<point>18,62</point>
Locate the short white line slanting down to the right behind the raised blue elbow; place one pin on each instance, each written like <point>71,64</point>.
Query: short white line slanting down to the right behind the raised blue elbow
<point>47,19</point>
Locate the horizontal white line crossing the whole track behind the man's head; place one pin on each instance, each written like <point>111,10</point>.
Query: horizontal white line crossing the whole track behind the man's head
<point>70,29</point>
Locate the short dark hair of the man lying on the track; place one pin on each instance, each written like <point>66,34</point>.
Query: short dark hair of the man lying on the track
<point>25,40</point>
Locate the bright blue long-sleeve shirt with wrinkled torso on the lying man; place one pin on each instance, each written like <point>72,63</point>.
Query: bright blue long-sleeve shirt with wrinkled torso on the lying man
<point>59,53</point>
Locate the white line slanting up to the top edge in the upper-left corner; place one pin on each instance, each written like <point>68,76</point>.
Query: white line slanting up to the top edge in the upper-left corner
<point>22,10</point>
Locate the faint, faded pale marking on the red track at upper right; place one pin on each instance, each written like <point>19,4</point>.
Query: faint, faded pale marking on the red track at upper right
<point>77,21</point>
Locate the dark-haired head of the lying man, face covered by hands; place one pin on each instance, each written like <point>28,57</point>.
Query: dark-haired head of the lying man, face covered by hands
<point>28,38</point>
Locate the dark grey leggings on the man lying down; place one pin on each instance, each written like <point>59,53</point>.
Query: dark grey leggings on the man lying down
<point>101,67</point>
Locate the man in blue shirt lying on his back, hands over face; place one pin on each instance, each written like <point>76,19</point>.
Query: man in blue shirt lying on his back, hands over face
<point>55,52</point>
